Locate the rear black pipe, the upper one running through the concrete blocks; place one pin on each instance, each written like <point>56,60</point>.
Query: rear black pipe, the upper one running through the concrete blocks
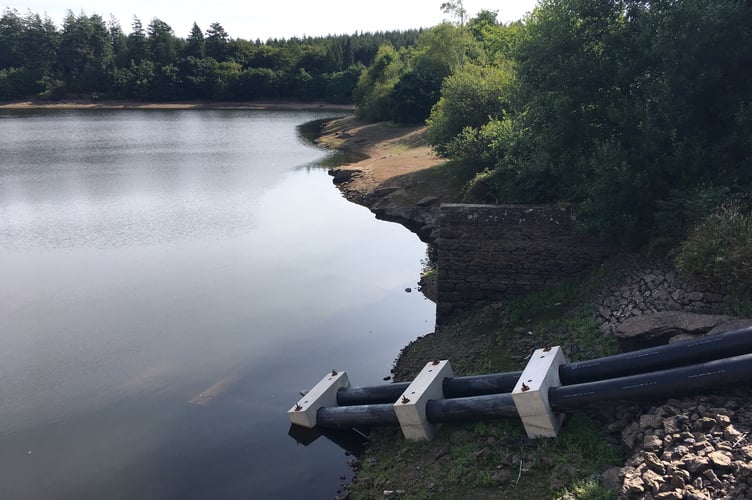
<point>683,353</point>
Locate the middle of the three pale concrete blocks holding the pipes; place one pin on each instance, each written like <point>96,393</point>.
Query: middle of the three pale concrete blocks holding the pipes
<point>410,408</point>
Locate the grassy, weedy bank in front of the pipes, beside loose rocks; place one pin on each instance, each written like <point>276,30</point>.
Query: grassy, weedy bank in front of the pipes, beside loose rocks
<point>489,460</point>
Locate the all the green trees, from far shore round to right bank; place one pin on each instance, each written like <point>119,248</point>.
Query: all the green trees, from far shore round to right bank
<point>638,113</point>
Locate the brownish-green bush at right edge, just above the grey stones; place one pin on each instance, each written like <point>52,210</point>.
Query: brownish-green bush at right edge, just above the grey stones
<point>719,249</point>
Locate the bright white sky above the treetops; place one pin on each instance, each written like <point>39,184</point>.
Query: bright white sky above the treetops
<point>262,20</point>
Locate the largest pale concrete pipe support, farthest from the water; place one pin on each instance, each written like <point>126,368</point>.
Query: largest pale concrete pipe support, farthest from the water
<point>530,395</point>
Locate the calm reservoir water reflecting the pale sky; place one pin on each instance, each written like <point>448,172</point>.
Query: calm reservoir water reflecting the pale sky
<point>169,281</point>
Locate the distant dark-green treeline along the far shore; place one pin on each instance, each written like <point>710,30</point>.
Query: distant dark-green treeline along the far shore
<point>91,58</point>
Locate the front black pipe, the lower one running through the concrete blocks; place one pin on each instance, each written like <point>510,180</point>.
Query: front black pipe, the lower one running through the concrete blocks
<point>666,383</point>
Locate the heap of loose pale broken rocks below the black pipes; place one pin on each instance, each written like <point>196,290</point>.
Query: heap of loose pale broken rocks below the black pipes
<point>693,448</point>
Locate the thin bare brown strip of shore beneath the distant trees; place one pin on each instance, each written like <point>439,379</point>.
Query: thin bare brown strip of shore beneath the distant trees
<point>114,104</point>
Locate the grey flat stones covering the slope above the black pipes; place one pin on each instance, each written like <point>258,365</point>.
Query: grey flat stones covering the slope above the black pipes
<point>657,287</point>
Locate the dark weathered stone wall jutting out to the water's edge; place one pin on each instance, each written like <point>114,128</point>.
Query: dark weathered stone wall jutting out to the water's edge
<point>491,252</point>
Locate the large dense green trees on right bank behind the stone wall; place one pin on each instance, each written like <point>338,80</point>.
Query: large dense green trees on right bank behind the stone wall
<point>637,111</point>
